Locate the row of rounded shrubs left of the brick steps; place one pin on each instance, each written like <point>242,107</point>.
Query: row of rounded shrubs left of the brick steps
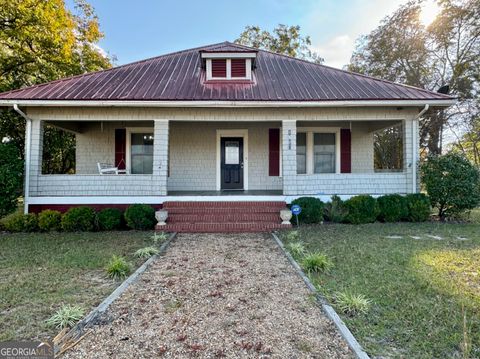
<point>79,219</point>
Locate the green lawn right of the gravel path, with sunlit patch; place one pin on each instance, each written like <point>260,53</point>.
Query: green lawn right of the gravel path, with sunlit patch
<point>416,287</point>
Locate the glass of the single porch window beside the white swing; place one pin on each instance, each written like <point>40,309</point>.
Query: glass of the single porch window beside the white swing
<point>142,153</point>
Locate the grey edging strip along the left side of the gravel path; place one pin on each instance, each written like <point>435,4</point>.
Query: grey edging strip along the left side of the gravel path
<point>78,329</point>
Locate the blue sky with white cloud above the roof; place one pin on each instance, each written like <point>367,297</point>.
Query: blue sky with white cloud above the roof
<point>135,30</point>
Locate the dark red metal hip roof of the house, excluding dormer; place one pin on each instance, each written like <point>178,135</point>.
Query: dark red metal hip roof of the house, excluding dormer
<point>180,76</point>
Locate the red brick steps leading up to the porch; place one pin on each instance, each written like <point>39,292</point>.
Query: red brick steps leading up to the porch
<point>223,216</point>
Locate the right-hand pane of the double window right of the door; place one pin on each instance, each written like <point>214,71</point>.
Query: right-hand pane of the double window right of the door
<point>324,152</point>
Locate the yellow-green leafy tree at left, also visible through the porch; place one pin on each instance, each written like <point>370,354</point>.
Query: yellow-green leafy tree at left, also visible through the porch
<point>40,41</point>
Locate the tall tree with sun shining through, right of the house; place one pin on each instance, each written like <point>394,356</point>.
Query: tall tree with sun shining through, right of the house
<point>404,50</point>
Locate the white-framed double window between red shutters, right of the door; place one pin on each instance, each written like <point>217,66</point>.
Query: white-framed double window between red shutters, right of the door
<point>317,151</point>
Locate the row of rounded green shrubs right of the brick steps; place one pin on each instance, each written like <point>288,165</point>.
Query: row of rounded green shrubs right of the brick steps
<point>365,209</point>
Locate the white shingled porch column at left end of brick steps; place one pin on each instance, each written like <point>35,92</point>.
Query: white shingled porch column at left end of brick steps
<point>160,156</point>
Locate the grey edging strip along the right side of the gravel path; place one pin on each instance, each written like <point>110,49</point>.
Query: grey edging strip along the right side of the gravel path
<point>327,309</point>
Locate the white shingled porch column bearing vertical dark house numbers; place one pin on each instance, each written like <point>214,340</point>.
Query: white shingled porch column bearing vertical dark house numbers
<point>289,156</point>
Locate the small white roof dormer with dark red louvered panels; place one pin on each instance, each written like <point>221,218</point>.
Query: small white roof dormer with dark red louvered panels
<point>222,66</point>
